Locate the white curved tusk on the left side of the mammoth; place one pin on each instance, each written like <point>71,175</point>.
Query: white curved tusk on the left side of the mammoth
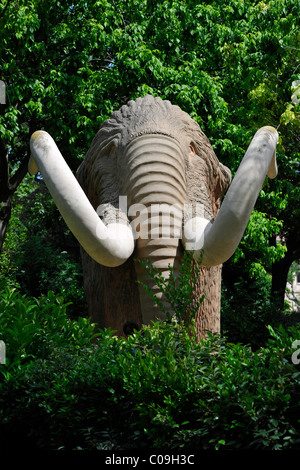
<point>109,245</point>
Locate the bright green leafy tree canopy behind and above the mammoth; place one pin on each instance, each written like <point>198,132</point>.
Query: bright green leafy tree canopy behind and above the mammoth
<point>229,64</point>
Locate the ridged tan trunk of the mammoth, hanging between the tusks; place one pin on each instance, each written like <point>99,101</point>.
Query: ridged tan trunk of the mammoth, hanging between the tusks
<point>156,192</point>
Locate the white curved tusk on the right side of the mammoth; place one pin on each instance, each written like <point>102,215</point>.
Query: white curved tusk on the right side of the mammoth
<point>218,241</point>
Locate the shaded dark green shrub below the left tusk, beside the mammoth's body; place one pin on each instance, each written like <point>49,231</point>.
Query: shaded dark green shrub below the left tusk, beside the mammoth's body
<point>39,253</point>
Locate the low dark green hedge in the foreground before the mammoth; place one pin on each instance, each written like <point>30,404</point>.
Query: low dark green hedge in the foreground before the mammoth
<point>158,389</point>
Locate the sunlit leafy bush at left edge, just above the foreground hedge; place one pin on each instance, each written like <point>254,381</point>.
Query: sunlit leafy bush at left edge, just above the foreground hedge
<point>35,327</point>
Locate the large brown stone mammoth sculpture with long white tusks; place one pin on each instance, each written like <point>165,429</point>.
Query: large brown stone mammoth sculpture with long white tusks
<point>150,164</point>
